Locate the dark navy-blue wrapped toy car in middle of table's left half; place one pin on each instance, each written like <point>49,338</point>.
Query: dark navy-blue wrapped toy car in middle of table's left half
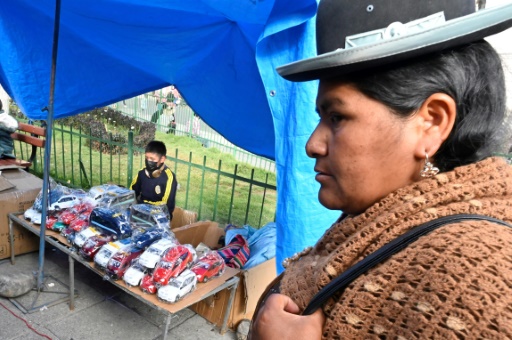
<point>111,222</point>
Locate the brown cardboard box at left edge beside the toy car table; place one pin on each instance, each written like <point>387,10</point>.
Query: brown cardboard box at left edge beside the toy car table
<point>18,190</point>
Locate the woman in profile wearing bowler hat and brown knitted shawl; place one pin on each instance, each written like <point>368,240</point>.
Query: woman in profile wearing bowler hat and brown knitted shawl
<point>408,126</point>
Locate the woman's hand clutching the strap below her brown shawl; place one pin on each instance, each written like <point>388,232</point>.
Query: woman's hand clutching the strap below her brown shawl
<point>278,319</point>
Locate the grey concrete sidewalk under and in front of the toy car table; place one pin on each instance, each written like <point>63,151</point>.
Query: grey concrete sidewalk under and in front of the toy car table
<point>102,311</point>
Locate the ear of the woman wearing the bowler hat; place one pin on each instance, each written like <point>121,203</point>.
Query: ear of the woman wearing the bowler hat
<point>437,117</point>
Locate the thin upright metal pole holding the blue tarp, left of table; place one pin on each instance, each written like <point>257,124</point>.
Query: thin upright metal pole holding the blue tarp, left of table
<point>47,147</point>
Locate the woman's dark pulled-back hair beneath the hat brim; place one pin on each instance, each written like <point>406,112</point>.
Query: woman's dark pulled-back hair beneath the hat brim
<point>472,75</point>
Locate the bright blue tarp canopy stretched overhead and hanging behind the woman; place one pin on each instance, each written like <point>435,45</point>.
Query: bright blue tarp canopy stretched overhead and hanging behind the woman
<point>221,54</point>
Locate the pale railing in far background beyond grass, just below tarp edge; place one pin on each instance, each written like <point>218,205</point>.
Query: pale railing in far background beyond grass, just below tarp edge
<point>181,120</point>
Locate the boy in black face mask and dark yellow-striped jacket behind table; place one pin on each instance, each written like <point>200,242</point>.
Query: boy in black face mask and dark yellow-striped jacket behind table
<point>156,183</point>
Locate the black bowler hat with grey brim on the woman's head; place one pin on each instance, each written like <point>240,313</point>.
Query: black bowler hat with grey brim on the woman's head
<point>355,35</point>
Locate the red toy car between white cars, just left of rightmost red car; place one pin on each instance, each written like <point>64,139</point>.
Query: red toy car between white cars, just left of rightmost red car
<point>175,260</point>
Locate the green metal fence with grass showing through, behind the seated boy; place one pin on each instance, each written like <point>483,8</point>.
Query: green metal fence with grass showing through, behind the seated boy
<point>226,194</point>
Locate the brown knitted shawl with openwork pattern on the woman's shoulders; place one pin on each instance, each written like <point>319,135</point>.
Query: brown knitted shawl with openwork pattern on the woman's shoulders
<point>454,283</point>
